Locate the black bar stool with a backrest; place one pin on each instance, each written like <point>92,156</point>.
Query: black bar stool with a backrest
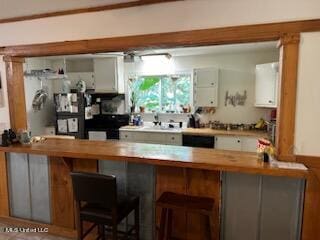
<point>97,202</point>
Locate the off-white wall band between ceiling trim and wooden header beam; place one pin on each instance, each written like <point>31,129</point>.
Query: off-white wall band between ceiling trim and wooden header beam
<point>165,17</point>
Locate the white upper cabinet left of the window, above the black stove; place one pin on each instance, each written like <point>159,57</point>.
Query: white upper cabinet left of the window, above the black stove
<point>108,73</point>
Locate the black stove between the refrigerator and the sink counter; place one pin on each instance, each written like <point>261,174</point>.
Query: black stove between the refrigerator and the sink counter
<point>107,123</point>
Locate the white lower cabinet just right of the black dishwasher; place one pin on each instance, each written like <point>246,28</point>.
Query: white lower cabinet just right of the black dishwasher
<point>233,143</point>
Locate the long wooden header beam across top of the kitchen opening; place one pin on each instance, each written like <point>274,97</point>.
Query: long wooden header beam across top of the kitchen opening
<point>215,36</point>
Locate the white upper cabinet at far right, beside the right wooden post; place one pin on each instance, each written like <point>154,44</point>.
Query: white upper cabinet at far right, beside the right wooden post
<point>267,85</point>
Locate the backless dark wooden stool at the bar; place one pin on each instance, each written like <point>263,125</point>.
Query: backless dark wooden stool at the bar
<point>169,201</point>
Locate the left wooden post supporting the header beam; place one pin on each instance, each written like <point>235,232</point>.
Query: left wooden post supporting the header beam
<point>16,95</point>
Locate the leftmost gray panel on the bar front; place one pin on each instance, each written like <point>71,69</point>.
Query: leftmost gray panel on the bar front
<point>19,185</point>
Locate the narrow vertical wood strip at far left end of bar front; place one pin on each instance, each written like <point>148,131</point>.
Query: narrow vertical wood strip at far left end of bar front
<point>4,195</point>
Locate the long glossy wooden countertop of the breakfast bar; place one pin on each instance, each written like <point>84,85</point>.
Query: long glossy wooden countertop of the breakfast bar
<point>155,154</point>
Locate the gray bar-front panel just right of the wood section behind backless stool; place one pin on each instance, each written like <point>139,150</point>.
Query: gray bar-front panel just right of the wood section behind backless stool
<point>241,202</point>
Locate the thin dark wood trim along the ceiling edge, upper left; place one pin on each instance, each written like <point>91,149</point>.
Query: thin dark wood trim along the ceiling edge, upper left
<point>84,10</point>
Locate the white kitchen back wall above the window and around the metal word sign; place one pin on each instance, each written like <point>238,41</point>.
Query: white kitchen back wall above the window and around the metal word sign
<point>237,73</point>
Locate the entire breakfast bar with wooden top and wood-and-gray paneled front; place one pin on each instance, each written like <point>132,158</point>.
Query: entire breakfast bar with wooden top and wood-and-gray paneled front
<point>236,180</point>
